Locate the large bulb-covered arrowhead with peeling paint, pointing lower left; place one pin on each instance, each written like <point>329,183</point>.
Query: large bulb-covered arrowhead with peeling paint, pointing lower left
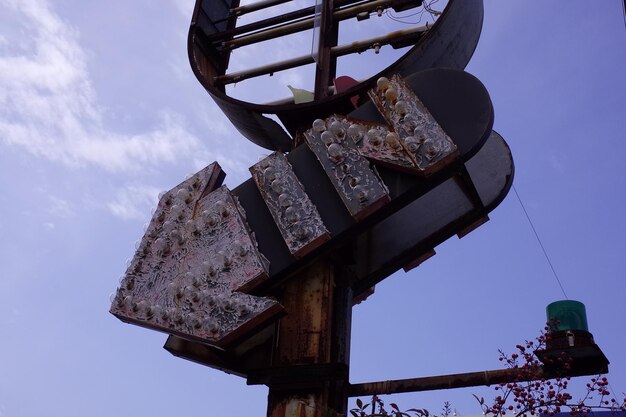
<point>195,258</point>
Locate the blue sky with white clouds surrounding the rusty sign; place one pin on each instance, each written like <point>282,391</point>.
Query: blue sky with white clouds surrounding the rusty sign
<point>99,111</point>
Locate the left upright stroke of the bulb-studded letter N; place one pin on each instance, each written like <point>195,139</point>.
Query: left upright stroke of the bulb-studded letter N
<point>359,186</point>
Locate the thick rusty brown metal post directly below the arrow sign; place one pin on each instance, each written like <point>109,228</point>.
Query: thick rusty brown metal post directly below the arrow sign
<point>313,346</point>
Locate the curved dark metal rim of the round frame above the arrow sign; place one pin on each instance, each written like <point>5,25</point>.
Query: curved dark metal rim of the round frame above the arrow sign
<point>450,43</point>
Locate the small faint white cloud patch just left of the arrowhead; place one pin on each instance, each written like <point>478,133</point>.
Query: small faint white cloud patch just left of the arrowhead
<point>134,202</point>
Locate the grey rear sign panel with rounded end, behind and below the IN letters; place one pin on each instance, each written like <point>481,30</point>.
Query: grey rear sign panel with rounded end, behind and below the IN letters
<point>436,216</point>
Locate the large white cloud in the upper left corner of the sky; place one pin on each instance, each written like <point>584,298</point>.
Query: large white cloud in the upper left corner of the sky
<point>48,105</point>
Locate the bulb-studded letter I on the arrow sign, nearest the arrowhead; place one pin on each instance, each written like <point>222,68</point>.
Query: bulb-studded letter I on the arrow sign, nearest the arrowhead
<point>295,215</point>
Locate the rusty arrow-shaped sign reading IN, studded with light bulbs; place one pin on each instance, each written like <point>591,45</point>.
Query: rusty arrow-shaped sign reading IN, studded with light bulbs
<point>198,272</point>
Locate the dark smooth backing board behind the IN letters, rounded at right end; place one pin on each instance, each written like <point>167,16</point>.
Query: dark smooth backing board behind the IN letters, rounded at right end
<point>460,104</point>
